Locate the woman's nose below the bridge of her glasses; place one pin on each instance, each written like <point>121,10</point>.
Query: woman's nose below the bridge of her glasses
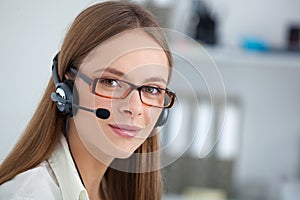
<point>132,105</point>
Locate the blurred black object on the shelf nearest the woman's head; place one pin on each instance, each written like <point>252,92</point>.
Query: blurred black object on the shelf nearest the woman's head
<point>203,23</point>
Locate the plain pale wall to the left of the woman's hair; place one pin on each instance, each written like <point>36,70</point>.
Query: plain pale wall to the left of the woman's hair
<point>31,33</point>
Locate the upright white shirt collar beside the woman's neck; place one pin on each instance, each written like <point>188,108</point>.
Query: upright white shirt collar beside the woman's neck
<point>66,174</point>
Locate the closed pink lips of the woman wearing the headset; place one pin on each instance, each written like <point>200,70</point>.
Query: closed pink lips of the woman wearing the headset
<point>125,131</point>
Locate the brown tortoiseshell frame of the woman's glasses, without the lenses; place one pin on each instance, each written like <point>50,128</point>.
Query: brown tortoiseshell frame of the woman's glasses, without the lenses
<point>93,82</point>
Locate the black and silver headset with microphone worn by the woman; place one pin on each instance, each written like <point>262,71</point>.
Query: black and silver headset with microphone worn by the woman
<point>66,98</point>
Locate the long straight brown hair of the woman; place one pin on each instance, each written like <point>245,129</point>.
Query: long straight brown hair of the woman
<point>90,28</point>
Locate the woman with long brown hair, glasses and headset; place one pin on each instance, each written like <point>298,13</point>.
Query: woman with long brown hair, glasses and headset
<point>110,64</point>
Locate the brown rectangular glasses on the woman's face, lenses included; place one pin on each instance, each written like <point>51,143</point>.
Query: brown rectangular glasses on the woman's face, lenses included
<point>119,89</point>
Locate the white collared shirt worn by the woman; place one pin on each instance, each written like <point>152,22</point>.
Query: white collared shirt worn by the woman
<point>54,179</point>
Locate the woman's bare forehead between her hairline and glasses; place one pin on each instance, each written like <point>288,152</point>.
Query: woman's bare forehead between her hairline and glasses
<point>129,51</point>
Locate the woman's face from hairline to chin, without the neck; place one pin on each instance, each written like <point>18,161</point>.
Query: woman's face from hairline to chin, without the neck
<point>132,57</point>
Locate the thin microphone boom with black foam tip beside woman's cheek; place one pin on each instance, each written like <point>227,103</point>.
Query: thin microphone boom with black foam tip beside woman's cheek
<point>101,113</point>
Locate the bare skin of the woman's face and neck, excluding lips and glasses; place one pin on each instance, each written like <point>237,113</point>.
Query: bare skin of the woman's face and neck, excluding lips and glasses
<point>138,59</point>
